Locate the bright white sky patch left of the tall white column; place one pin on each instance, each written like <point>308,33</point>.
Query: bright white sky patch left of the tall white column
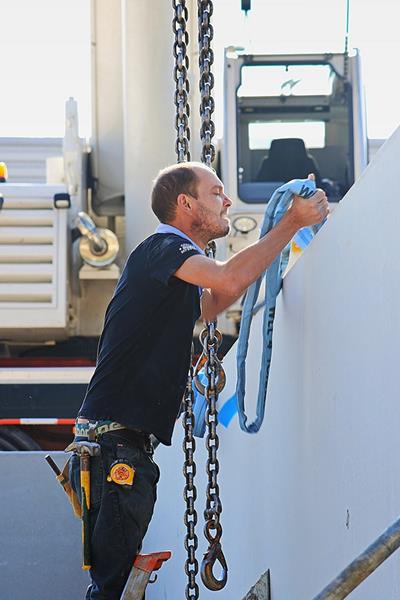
<point>42,65</point>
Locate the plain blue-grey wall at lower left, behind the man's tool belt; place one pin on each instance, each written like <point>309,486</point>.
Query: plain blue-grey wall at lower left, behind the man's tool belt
<point>40,550</point>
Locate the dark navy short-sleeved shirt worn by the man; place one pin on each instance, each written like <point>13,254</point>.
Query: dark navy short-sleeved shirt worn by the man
<point>144,350</point>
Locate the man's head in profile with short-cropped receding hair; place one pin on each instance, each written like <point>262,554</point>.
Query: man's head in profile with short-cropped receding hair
<point>191,197</point>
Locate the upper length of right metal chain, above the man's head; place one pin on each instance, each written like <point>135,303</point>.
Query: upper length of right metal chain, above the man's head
<point>206,60</point>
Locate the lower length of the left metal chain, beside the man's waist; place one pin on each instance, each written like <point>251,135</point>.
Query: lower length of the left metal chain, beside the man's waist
<point>189,492</point>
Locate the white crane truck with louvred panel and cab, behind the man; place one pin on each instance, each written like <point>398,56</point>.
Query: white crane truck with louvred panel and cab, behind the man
<point>63,241</point>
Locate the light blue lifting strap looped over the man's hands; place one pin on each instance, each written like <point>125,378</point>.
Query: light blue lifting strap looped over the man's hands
<point>276,208</point>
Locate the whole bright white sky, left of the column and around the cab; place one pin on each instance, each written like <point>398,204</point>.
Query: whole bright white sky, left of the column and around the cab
<point>42,65</point>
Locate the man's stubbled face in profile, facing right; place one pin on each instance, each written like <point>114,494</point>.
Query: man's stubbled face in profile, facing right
<point>210,209</point>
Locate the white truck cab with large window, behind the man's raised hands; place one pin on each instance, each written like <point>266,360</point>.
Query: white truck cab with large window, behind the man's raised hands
<point>286,116</point>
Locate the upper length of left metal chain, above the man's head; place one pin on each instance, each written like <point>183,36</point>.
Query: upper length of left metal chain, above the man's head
<point>181,80</point>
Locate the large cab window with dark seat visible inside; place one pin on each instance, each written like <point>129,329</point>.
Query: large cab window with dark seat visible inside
<point>293,120</point>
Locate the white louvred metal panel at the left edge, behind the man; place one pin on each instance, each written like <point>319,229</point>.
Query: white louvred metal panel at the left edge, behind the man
<point>33,258</point>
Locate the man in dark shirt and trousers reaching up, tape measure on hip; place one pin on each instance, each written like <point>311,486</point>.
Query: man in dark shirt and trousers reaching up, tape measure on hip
<point>144,352</point>
